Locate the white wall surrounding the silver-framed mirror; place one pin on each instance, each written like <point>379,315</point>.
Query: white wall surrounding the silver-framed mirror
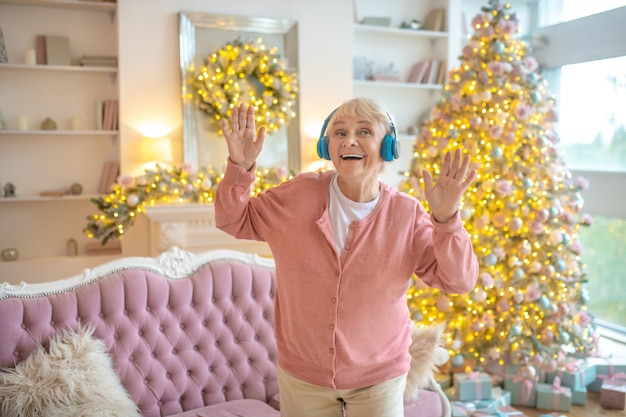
<point>149,74</point>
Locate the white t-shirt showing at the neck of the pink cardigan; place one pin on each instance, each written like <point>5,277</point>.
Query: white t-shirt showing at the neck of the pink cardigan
<point>344,211</point>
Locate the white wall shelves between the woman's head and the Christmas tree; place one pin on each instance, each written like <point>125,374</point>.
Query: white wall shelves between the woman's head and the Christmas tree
<point>385,47</point>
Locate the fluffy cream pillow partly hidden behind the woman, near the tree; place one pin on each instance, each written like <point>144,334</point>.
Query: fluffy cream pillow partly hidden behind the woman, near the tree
<point>427,353</point>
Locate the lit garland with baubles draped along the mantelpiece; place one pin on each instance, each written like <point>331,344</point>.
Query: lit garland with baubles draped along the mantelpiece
<point>131,195</point>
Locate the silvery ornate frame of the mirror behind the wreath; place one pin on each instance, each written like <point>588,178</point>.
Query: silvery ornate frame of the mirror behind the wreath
<point>189,24</point>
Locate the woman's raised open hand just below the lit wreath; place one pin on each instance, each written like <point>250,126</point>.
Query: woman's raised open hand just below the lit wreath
<point>244,144</point>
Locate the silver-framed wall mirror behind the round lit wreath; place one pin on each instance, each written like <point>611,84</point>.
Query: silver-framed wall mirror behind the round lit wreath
<point>201,34</point>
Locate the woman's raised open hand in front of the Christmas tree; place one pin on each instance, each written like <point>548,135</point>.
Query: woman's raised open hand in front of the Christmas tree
<point>445,196</point>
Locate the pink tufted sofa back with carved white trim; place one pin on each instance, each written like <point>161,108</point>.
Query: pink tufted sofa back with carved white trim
<point>184,331</point>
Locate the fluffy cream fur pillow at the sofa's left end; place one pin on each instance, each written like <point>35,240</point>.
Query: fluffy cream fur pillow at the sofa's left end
<point>75,378</point>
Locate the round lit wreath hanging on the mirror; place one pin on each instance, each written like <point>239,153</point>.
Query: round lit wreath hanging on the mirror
<point>246,72</point>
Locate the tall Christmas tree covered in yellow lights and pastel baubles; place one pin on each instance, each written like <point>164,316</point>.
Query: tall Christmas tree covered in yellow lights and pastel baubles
<point>523,211</point>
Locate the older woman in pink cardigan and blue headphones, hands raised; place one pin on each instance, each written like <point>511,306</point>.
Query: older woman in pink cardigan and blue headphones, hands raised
<point>345,246</point>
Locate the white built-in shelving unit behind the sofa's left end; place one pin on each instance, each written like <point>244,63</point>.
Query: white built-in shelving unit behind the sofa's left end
<point>36,160</point>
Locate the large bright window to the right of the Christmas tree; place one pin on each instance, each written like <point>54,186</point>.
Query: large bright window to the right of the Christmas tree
<point>583,56</point>
